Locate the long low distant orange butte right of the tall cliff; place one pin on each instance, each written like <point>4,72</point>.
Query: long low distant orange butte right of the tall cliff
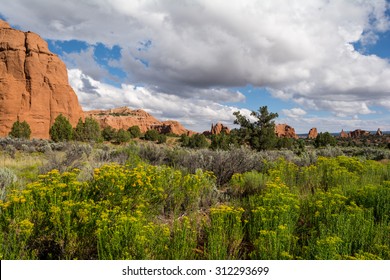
<point>124,117</point>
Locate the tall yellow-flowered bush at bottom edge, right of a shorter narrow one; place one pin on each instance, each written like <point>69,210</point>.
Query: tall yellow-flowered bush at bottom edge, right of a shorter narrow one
<point>272,222</point>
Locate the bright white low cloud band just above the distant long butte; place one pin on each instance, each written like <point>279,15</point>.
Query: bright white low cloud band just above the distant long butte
<point>195,114</point>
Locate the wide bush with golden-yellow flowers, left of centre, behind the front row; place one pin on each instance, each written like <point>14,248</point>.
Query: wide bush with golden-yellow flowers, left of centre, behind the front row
<point>162,190</point>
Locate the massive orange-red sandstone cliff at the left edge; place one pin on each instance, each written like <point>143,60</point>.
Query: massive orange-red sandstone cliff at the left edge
<point>33,84</point>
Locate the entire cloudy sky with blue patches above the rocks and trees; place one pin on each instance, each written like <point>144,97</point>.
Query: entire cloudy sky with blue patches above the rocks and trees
<point>317,63</point>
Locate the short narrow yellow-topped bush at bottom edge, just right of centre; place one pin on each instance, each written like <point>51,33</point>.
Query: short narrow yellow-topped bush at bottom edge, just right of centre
<point>225,233</point>
